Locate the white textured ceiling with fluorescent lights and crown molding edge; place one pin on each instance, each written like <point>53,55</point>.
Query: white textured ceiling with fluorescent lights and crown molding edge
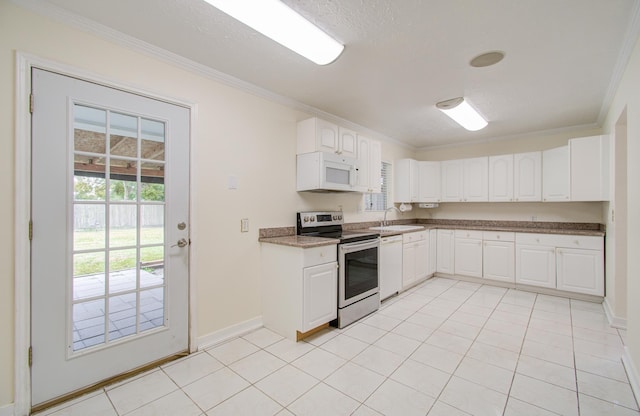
<point>403,56</point>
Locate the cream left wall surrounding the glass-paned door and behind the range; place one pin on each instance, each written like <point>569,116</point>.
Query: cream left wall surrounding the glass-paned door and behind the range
<point>235,133</point>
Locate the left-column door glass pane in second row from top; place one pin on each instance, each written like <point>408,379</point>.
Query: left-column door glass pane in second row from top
<point>89,182</point>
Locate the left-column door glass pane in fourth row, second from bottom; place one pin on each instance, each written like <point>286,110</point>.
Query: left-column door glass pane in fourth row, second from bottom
<point>88,275</point>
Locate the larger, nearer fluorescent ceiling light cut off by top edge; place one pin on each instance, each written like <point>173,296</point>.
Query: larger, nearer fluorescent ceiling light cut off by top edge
<point>277,21</point>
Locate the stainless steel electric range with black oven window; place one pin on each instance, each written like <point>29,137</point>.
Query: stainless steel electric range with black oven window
<point>358,271</point>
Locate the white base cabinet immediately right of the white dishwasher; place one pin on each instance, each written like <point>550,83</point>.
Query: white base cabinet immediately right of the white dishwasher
<point>415,256</point>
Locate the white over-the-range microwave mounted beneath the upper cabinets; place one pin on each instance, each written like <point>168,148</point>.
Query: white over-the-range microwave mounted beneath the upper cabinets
<point>322,172</point>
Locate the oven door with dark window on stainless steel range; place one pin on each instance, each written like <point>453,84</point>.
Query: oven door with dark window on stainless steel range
<point>358,271</point>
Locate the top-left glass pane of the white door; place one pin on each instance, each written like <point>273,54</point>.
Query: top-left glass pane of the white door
<point>89,129</point>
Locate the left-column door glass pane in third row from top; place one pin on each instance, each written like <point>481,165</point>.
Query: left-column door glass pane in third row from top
<point>88,226</point>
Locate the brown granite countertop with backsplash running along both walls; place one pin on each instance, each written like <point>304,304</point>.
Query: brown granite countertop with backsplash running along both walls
<point>287,235</point>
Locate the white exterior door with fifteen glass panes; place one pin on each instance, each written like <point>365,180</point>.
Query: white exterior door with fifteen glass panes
<point>110,247</point>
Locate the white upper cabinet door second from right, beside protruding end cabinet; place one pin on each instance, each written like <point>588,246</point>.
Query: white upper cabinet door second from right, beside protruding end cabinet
<point>556,175</point>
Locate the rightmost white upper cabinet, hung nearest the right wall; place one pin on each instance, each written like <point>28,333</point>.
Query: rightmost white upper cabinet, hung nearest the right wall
<point>589,168</point>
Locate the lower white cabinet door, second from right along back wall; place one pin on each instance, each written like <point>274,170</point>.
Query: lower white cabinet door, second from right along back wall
<point>536,265</point>
